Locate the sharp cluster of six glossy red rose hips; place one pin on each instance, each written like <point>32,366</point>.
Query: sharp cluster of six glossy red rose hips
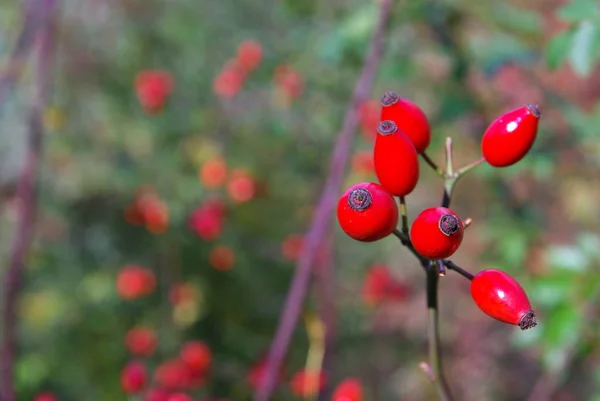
<point>368,212</point>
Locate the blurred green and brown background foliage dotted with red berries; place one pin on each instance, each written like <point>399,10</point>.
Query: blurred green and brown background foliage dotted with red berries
<point>213,193</point>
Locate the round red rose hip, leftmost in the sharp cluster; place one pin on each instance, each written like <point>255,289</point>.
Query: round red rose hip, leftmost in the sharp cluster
<point>367,212</point>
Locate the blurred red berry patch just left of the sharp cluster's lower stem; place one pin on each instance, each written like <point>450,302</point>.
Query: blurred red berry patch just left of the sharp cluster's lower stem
<point>379,286</point>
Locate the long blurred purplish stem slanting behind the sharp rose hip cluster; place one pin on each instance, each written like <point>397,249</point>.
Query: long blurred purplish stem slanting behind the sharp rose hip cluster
<point>321,223</point>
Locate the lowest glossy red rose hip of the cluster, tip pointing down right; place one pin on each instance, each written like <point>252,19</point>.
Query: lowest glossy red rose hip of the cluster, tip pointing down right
<point>500,296</point>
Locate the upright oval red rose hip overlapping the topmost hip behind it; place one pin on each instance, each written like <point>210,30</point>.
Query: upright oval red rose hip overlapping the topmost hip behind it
<point>396,160</point>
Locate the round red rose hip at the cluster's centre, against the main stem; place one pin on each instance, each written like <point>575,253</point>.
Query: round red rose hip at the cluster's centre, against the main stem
<point>436,233</point>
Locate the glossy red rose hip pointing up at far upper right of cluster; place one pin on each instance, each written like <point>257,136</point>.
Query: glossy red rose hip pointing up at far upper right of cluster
<point>510,137</point>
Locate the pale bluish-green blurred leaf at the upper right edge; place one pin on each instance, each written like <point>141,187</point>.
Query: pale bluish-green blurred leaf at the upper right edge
<point>584,47</point>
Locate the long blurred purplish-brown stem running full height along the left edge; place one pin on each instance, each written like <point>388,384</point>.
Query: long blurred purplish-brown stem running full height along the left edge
<point>26,196</point>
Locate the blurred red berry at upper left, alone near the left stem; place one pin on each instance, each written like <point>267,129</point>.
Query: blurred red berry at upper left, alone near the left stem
<point>152,89</point>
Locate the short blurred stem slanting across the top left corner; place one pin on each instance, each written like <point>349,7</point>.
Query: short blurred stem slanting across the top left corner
<point>33,20</point>
